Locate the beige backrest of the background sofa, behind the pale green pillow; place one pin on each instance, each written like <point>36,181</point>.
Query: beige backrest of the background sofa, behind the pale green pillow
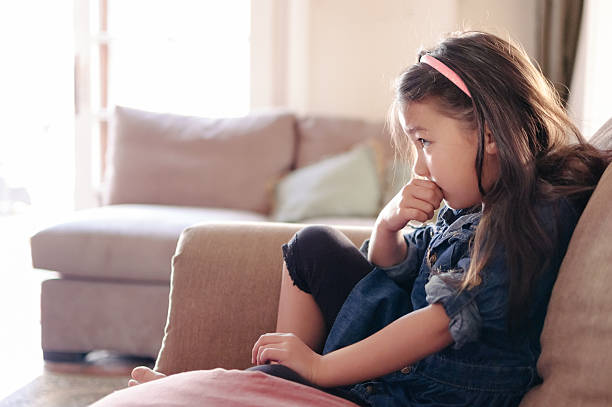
<point>235,163</point>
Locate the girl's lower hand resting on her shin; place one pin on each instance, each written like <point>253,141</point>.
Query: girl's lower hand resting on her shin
<point>288,350</point>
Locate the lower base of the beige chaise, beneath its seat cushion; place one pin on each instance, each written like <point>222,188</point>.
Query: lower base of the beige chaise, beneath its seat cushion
<point>79,315</point>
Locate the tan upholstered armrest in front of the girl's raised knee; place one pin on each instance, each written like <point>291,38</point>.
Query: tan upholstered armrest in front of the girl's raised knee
<point>224,292</point>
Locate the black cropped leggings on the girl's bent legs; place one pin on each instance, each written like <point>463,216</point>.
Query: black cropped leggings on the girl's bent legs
<point>323,262</point>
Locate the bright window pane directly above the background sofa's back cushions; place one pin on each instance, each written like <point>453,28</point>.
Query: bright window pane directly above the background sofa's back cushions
<point>186,56</point>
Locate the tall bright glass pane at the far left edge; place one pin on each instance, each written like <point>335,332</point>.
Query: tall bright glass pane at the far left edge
<point>37,101</point>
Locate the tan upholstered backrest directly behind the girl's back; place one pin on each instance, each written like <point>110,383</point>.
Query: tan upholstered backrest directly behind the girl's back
<point>576,359</point>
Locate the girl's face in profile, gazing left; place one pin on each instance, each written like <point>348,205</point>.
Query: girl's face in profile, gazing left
<point>446,153</point>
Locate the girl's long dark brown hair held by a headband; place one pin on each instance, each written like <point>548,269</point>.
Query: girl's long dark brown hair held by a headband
<point>542,155</point>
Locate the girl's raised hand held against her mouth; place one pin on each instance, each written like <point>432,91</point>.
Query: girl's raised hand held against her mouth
<point>417,200</point>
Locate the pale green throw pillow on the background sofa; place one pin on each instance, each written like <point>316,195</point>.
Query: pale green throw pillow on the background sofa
<point>343,185</point>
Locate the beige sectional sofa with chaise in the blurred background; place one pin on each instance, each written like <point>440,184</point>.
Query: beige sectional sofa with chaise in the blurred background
<point>167,172</point>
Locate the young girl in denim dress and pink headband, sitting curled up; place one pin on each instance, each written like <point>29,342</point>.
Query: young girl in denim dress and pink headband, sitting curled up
<point>448,314</point>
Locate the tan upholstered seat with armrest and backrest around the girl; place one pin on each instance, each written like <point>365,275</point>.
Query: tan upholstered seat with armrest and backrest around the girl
<point>226,279</point>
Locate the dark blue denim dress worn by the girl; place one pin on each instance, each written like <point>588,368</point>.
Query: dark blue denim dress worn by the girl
<point>485,366</point>
